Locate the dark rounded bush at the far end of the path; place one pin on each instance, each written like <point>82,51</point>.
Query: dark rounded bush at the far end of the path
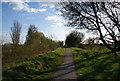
<point>74,38</point>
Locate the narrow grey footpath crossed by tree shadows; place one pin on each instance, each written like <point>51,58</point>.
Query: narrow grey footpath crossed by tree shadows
<point>67,68</point>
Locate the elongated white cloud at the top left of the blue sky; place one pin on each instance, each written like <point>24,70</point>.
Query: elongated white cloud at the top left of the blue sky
<point>22,6</point>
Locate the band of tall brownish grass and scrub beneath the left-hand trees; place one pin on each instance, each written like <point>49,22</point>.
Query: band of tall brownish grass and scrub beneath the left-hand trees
<point>11,53</point>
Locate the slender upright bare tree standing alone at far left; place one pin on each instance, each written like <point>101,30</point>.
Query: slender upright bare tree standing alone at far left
<point>15,32</point>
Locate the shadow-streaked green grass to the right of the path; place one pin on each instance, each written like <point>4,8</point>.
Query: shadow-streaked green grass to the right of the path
<point>96,65</point>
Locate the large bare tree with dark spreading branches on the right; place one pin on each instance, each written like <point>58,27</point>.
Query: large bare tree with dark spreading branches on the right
<point>100,17</point>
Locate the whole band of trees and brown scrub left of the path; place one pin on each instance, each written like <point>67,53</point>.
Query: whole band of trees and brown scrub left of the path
<point>35,44</point>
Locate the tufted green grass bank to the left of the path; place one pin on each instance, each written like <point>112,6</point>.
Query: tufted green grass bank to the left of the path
<point>40,67</point>
